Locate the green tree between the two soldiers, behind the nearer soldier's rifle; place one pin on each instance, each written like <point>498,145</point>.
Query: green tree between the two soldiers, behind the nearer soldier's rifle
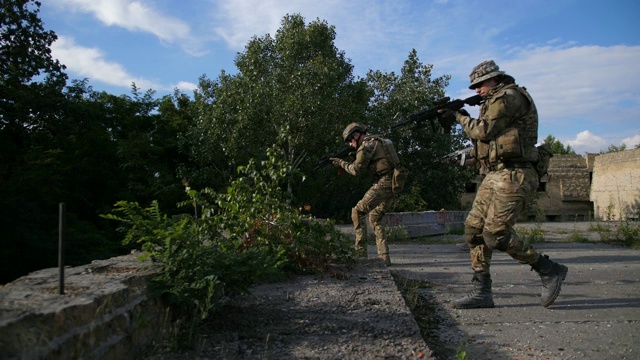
<point>432,184</point>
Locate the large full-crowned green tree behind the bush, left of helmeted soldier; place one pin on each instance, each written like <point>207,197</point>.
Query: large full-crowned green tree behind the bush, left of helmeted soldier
<point>298,85</point>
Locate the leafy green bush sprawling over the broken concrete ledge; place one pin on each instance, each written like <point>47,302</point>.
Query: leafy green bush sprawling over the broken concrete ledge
<point>231,240</point>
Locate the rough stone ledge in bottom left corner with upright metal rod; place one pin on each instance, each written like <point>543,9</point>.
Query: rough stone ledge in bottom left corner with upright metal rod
<point>106,312</point>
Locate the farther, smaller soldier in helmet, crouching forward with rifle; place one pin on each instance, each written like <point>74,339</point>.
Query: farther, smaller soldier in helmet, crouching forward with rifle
<point>375,156</point>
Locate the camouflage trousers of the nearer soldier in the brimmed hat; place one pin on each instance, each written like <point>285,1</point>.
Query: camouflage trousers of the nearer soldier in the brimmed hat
<point>501,197</point>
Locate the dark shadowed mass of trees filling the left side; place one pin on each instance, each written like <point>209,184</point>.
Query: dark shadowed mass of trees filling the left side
<point>69,144</point>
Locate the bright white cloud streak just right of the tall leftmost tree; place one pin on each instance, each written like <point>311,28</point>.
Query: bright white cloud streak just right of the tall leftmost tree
<point>91,63</point>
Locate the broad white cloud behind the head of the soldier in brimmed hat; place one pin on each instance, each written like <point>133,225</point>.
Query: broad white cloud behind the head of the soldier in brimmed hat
<point>573,82</point>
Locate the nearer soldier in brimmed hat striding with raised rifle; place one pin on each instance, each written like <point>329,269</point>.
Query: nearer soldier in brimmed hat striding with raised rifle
<point>504,138</point>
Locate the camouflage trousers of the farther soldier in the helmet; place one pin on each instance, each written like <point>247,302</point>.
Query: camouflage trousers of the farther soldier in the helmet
<point>375,202</point>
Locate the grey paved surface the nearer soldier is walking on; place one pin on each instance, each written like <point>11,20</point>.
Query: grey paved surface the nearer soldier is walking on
<point>597,315</point>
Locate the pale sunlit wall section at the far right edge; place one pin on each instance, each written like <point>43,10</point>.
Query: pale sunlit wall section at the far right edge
<point>615,188</point>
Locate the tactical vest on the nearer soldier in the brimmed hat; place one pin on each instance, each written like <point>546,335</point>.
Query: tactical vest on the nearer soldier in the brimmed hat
<point>517,141</point>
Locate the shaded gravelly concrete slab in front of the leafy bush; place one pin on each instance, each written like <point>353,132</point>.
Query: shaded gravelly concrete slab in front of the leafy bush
<point>356,314</point>
